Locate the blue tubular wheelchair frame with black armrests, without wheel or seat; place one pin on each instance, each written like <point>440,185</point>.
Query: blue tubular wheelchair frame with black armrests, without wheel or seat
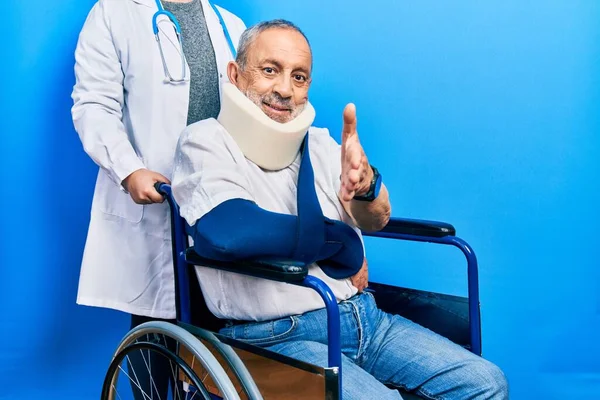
<point>184,258</point>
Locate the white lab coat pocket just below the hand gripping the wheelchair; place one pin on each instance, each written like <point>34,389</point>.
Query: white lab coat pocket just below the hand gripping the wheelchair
<point>113,201</point>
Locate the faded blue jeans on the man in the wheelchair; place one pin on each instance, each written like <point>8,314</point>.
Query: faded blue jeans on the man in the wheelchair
<point>380,351</point>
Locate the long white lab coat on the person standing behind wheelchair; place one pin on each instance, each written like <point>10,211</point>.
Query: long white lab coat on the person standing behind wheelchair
<point>128,118</point>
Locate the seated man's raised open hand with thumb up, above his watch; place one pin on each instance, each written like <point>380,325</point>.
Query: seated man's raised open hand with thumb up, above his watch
<point>356,172</point>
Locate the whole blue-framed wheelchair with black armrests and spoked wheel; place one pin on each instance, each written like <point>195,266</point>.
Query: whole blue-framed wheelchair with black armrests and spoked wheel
<point>206,365</point>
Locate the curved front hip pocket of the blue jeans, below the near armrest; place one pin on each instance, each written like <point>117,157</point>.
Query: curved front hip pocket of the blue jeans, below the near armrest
<point>266,333</point>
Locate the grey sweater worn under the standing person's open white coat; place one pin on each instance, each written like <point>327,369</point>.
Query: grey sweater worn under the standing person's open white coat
<point>200,55</point>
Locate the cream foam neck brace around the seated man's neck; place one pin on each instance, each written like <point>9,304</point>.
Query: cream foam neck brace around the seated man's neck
<point>269,144</point>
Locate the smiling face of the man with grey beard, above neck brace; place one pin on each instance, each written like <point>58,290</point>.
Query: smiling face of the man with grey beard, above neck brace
<point>277,73</point>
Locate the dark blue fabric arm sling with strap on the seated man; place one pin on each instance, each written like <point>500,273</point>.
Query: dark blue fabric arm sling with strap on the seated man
<point>239,229</point>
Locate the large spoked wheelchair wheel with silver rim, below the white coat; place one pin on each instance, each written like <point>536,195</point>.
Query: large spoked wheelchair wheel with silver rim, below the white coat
<point>163,343</point>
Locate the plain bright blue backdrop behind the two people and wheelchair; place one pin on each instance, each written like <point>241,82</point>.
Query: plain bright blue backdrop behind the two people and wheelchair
<point>482,114</point>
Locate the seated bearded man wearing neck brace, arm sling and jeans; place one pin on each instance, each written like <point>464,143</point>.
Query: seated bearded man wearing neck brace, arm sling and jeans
<point>250,185</point>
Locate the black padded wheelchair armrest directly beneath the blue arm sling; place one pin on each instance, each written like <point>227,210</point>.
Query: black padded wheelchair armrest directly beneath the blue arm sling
<point>275,270</point>
